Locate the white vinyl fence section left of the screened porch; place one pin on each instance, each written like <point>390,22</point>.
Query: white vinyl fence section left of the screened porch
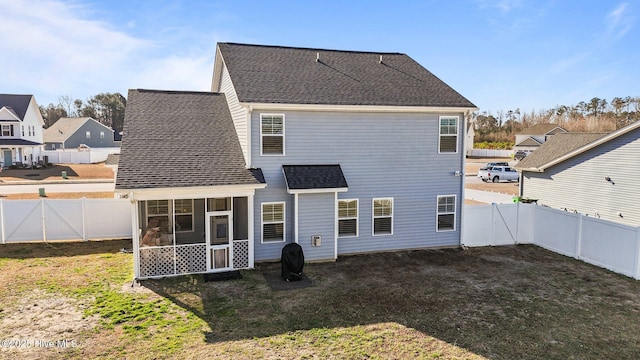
<point>74,219</point>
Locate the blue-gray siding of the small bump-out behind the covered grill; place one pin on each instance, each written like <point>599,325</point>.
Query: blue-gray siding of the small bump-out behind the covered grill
<point>316,214</point>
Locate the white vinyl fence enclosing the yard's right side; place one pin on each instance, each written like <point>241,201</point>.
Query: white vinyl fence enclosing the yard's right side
<point>607,244</point>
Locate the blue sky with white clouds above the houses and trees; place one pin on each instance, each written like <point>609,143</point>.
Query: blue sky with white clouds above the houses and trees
<point>500,54</point>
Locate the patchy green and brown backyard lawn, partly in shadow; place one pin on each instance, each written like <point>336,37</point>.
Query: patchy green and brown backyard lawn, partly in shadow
<point>500,303</point>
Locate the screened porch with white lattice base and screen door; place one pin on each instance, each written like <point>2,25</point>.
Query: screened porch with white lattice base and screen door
<point>193,235</point>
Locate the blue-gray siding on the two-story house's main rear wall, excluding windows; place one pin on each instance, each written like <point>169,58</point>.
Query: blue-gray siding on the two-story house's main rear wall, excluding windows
<point>382,155</point>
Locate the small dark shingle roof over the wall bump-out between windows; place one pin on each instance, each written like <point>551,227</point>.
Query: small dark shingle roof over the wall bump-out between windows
<point>302,177</point>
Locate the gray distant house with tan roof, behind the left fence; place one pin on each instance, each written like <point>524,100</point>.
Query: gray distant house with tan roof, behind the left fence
<point>71,133</point>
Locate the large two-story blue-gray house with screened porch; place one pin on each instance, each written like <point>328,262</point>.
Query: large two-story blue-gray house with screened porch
<point>343,152</point>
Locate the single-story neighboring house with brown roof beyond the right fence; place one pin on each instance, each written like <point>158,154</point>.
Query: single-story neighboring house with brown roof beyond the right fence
<point>590,173</point>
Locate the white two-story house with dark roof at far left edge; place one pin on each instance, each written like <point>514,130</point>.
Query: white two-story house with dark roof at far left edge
<point>20,130</point>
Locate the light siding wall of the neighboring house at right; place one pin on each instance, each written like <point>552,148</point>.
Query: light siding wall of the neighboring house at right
<point>579,184</point>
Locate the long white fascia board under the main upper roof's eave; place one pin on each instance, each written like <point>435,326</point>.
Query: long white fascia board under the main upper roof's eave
<point>356,108</point>
